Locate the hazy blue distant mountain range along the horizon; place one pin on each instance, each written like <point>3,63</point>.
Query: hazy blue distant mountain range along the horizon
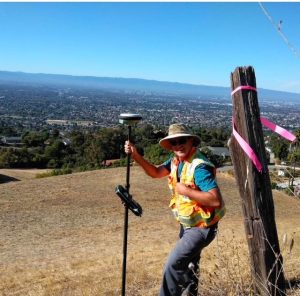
<point>134,85</point>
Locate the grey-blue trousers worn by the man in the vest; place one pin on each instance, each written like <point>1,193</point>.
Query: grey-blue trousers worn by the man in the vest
<point>180,277</point>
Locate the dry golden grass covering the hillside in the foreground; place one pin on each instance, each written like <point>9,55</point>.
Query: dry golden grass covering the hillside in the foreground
<point>64,236</point>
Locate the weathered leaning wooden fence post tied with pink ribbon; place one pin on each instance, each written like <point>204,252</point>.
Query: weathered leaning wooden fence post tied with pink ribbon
<point>255,189</point>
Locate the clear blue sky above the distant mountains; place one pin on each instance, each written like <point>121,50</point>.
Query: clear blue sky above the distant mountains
<point>196,42</point>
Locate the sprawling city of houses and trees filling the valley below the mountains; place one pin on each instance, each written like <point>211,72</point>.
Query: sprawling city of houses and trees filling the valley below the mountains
<point>32,108</point>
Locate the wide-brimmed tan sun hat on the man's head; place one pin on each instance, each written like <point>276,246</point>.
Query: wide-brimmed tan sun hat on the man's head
<point>177,130</point>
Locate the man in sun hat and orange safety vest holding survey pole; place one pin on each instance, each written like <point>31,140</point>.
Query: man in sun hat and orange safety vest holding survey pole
<point>196,203</point>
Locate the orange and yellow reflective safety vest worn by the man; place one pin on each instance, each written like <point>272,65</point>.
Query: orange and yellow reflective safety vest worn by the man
<point>187,211</point>
